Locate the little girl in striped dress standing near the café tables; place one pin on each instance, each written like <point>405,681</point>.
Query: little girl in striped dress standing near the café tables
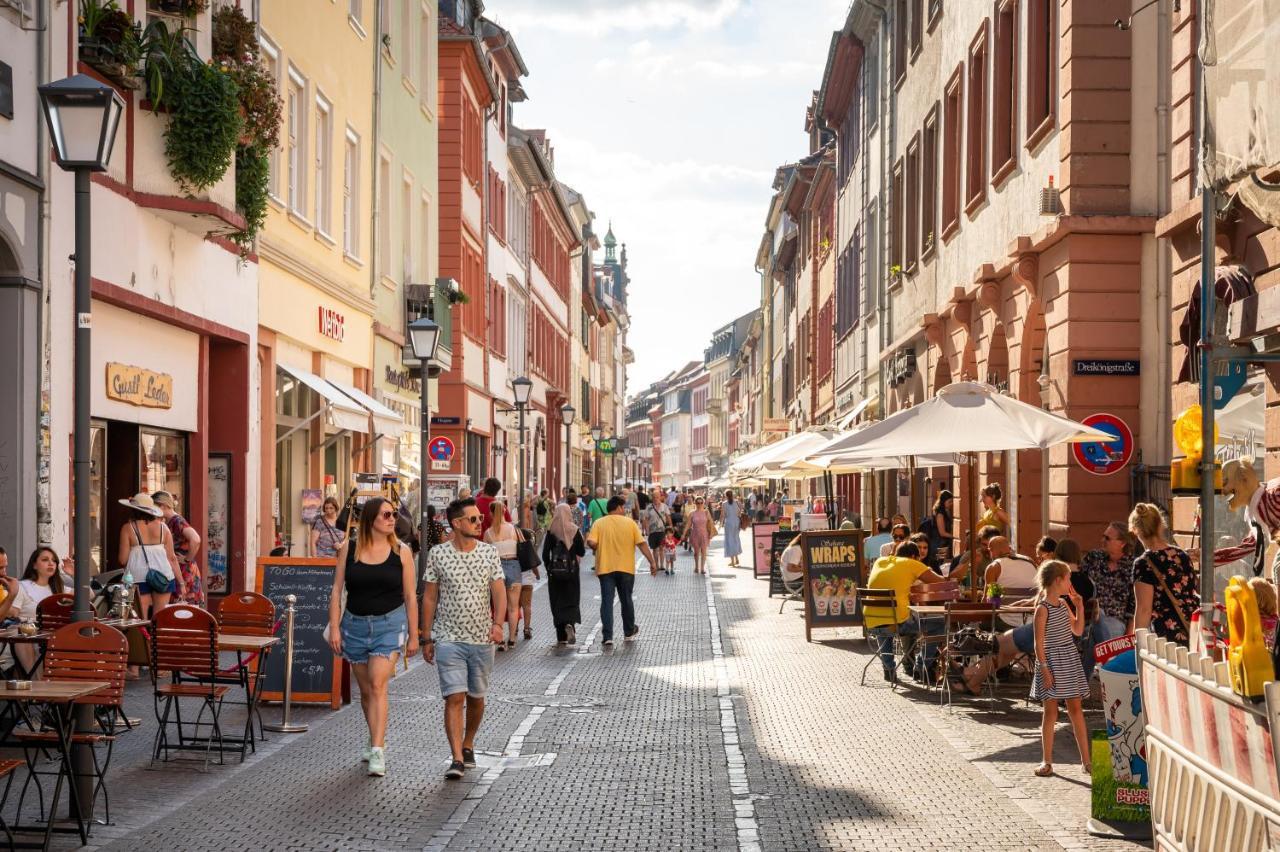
<point>1059,672</point>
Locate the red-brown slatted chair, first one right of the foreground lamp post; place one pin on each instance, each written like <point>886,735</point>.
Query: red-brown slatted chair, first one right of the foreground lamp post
<point>185,642</point>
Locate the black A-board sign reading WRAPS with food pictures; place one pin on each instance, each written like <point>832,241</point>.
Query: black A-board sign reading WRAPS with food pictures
<point>834,571</point>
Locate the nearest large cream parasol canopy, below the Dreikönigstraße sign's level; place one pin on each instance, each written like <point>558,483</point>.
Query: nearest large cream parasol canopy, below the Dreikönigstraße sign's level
<point>963,418</point>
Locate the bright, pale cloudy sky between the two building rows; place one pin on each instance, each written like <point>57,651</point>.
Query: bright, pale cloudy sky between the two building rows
<point>671,118</point>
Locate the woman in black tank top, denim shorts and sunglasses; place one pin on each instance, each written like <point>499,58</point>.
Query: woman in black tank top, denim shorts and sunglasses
<point>380,617</point>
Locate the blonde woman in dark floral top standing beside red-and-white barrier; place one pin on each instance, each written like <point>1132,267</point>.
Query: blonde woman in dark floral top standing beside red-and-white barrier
<point>1165,584</point>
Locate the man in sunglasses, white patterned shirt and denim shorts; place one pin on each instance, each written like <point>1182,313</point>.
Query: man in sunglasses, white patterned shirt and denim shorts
<point>464,590</point>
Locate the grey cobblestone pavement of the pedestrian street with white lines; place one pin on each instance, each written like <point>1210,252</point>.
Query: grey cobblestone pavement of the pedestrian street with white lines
<point>720,729</point>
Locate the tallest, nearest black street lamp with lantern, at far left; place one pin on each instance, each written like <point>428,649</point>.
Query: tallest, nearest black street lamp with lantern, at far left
<point>83,116</point>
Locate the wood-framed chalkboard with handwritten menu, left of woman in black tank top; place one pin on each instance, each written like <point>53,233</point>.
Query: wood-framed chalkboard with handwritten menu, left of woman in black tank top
<point>318,675</point>
